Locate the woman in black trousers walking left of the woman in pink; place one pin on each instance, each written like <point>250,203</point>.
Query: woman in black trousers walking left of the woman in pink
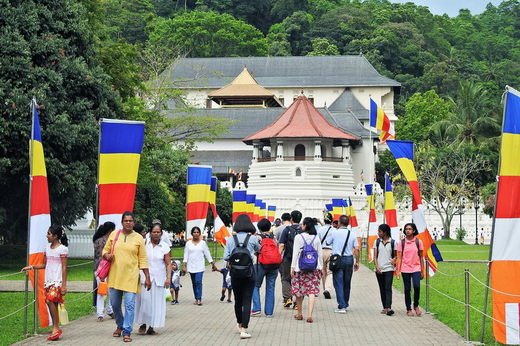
<point>384,261</point>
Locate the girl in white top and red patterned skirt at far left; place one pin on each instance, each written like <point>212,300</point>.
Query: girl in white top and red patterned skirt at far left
<point>55,265</point>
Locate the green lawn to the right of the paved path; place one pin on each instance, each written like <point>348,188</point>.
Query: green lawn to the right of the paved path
<point>446,310</point>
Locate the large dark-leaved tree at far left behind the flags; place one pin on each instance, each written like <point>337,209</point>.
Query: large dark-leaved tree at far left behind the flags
<point>49,54</point>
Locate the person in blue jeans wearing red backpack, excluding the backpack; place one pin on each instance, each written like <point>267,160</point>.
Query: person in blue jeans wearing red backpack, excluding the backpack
<point>270,277</point>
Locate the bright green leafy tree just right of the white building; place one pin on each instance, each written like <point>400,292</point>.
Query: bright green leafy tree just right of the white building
<point>421,111</point>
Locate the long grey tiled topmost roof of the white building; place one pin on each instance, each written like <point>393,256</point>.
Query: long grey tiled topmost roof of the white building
<point>286,71</point>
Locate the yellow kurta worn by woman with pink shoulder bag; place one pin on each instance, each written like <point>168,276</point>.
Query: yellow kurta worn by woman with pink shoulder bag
<point>129,258</point>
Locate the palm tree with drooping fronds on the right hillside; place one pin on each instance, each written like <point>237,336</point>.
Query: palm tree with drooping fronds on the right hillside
<point>470,122</point>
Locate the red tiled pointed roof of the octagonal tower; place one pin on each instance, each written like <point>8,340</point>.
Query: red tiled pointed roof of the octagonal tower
<point>301,119</point>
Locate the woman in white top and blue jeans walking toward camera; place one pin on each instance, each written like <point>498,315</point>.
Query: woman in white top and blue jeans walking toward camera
<point>195,251</point>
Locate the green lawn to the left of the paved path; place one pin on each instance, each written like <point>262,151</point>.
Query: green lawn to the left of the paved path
<point>11,328</point>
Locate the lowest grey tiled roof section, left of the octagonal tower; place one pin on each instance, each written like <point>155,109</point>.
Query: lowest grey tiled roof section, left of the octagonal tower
<point>222,161</point>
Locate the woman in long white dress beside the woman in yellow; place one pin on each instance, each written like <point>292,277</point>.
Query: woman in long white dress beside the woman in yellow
<point>152,308</point>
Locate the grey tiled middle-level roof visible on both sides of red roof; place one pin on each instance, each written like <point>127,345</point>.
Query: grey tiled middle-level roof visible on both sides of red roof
<point>247,121</point>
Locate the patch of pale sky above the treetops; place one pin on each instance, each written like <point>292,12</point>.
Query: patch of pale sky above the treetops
<point>451,7</point>
